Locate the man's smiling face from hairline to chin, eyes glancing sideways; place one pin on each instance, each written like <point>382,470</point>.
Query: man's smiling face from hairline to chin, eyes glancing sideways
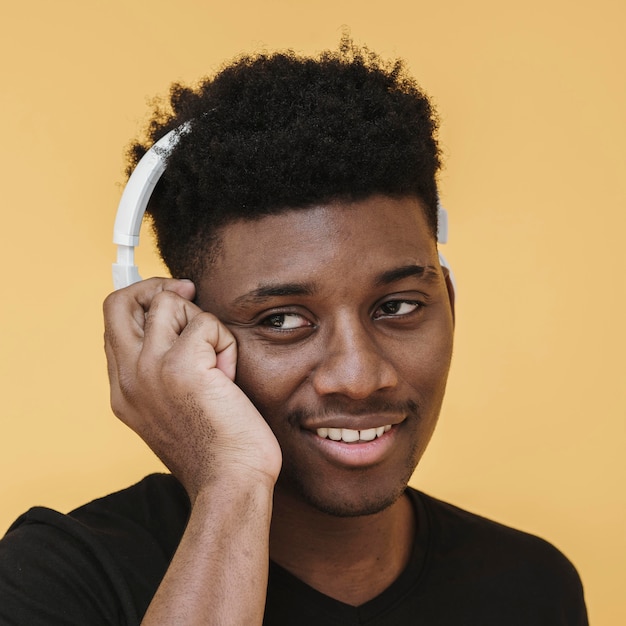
<point>344,327</point>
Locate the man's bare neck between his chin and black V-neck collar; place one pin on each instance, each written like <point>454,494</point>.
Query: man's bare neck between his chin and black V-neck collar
<point>351,559</point>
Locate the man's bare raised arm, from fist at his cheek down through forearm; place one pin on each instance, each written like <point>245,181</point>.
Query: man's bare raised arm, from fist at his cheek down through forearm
<point>172,369</point>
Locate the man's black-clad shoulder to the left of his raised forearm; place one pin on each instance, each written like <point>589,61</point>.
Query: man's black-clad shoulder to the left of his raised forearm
<point>103,559</point>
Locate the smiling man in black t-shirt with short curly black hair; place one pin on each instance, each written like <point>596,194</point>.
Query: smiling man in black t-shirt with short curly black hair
<point>290,377</point>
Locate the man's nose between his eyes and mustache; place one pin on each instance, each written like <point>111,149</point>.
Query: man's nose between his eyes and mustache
<point>352,363</point>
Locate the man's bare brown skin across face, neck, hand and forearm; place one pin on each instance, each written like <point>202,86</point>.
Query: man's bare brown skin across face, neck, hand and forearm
<point>342,318</point>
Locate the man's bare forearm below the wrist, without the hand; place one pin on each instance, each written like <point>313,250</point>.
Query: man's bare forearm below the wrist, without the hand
<point>219,572</point>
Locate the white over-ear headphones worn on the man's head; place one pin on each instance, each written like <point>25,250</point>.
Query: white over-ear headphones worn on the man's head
<point>135,198</point>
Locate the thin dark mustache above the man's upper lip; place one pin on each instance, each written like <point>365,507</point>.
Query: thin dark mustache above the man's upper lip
<point>332,407</point>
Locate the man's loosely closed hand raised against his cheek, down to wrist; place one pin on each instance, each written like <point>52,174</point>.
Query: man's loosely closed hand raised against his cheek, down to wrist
<point>171,369</point>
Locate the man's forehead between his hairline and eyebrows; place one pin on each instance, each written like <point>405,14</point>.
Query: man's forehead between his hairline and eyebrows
<point>335,243</point>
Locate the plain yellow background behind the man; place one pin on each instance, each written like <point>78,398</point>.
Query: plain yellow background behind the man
<point>532,98</point>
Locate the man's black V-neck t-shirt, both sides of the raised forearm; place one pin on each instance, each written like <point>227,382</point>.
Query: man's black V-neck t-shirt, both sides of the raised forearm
<point>102,563</point>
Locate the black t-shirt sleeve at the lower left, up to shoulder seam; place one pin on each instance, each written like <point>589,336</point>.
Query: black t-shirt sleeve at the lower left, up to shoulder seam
<point>53,572</point>
